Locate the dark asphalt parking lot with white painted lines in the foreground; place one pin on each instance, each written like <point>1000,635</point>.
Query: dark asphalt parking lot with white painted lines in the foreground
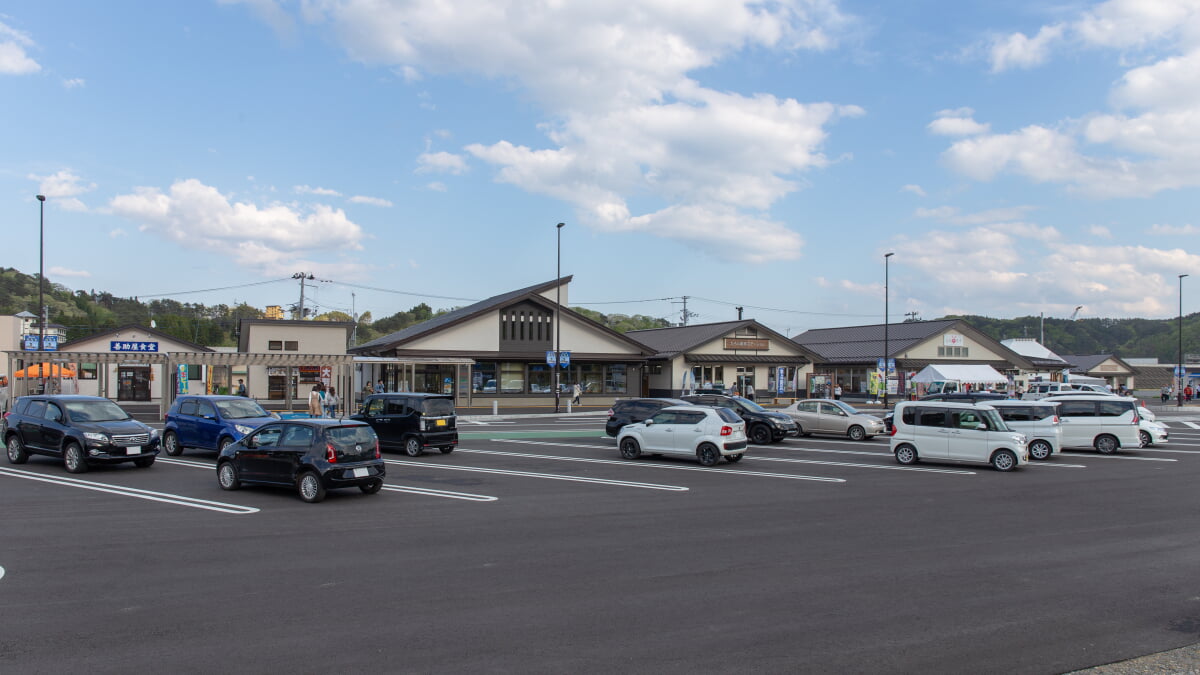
<point>536,548</point>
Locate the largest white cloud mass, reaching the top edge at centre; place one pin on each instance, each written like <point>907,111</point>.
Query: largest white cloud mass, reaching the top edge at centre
<point>628,122</point>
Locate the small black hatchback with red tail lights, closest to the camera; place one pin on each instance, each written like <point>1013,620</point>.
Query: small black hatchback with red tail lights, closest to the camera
<point>311,456</point>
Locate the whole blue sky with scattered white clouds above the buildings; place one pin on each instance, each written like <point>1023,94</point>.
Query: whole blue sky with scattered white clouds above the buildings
<point>1017,158</point>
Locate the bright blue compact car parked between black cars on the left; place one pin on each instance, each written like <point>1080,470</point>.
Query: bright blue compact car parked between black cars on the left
<point>211,423</point>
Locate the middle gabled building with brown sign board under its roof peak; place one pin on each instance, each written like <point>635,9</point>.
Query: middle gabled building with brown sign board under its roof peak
<point>737,355</point>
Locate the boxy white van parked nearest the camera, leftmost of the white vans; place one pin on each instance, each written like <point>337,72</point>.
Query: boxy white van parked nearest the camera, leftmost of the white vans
<point>945,432</point>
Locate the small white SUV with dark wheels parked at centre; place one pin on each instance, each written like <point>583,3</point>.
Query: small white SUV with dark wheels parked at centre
<point>704,433</point>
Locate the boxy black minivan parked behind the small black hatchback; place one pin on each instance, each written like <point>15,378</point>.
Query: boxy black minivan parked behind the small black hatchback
<point>412,421</point>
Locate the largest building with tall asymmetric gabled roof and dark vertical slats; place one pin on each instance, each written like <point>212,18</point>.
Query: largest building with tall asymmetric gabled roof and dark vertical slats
<point>499,349</point>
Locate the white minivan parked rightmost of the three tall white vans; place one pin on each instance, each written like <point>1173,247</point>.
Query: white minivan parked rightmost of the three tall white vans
<point>1099,421</point>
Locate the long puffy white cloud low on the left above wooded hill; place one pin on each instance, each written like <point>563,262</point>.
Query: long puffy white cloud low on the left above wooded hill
<point>272,238</point>
